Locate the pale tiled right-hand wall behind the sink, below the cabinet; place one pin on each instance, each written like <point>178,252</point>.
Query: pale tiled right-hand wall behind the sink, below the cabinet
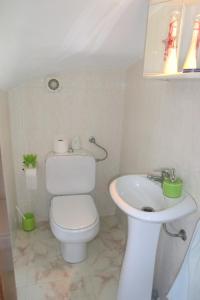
<point>162,129</point>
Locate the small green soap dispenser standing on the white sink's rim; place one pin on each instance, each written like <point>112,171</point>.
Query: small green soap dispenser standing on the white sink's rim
<point>172,186</point>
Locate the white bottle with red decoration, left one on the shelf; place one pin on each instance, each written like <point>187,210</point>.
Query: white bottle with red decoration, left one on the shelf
<point>170,56</point>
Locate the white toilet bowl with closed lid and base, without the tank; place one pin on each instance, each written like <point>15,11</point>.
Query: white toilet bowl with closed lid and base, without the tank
<point>74,221</point>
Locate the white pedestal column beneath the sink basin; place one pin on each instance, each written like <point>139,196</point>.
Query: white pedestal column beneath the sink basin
<point>136,280</point>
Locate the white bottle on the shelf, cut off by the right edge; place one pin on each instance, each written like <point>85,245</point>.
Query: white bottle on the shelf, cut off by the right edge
<point>190,63</point>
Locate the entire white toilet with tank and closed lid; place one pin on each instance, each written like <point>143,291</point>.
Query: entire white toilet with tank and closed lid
<point>74,219</point>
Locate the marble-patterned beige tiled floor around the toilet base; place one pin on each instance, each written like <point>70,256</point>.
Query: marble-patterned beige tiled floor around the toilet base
<point>42,274</point>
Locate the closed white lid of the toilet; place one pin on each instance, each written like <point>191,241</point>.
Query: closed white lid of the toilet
<point>74,212</point>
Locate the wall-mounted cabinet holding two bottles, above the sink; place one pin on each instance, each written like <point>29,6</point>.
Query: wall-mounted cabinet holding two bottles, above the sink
<point>173,36</point>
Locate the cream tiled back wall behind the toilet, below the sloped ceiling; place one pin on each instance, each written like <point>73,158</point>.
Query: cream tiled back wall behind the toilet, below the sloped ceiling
<point>89,103</point>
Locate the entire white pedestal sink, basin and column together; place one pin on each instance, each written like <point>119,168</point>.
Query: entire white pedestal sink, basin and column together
<point>133,194</point>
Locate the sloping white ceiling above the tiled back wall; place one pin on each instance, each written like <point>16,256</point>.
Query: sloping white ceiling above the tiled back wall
<point>41,37</point>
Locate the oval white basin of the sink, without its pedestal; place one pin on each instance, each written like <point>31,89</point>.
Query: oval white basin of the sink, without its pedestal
<point>135,193</point>
